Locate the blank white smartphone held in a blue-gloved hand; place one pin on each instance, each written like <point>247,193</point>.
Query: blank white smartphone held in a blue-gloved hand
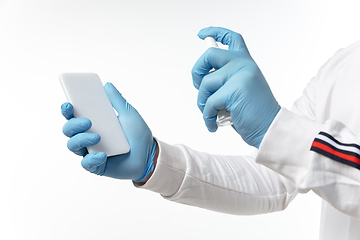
<point>86,93</point>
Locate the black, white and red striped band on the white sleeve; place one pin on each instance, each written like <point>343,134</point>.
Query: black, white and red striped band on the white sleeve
<point>328,146</point>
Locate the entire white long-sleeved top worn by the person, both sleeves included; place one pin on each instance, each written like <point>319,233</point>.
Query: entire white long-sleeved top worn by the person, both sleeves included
<point>288,161</point>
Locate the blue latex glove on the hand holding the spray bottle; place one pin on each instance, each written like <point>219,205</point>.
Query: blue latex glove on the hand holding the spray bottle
<point>238,86</point>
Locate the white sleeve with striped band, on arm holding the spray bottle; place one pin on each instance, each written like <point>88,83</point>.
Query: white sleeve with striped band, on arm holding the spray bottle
<point>315,152</point>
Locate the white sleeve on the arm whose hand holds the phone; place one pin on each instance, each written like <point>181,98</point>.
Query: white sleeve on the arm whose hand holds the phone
<point>228,184</point>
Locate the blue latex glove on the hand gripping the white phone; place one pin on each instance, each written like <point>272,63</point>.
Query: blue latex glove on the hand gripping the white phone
<point>136,164</point>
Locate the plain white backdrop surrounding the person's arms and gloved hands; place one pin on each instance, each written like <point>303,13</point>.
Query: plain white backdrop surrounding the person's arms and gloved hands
<point>147,49</point>
